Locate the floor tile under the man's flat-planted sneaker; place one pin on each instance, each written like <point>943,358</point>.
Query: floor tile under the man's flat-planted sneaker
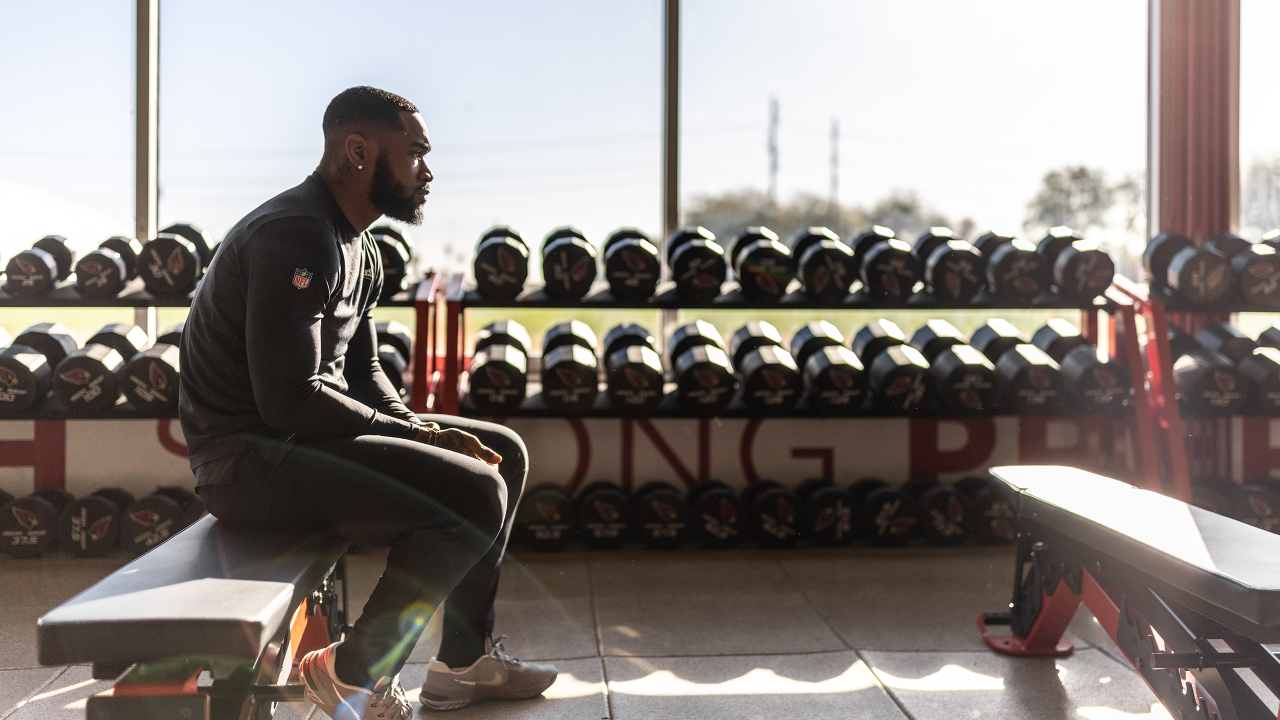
<point>578,694</point>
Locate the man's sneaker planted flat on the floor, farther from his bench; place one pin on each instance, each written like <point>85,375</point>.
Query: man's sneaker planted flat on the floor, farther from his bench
<point>493,676</point>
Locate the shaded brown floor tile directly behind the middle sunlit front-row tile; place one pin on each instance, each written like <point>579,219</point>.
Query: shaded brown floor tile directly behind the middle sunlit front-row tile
<point>703,604</point>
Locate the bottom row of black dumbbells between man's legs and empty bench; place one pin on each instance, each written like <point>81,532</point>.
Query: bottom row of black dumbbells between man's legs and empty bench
<point>604,517</point>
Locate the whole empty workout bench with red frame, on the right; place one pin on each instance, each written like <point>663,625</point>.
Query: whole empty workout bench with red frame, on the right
<point>1190,598</point>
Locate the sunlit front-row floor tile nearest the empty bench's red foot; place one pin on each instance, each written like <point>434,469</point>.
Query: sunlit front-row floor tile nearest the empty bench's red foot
<point>947,686</point>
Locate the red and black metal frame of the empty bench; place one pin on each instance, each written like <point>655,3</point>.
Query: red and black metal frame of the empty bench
<point>1191,662</point>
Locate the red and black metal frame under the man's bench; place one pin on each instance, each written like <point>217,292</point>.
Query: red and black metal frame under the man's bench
<point>170,689</point>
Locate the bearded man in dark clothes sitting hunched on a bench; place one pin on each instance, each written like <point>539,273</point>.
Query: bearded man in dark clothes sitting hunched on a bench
<point>291,423</point>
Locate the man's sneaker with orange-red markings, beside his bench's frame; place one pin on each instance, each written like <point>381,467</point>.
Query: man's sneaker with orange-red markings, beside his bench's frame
<point>339,700</point>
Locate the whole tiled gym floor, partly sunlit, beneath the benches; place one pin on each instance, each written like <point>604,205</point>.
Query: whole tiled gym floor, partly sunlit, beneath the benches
<point>811,634</point>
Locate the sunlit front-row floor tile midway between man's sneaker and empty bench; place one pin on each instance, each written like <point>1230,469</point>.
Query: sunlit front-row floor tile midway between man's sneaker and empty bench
<point>819,686</point>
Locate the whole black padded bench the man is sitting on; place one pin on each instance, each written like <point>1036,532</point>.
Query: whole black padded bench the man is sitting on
<point>243,607</point>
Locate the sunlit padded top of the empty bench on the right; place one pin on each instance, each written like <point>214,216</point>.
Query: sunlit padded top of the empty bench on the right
<point>1205,557</point>
